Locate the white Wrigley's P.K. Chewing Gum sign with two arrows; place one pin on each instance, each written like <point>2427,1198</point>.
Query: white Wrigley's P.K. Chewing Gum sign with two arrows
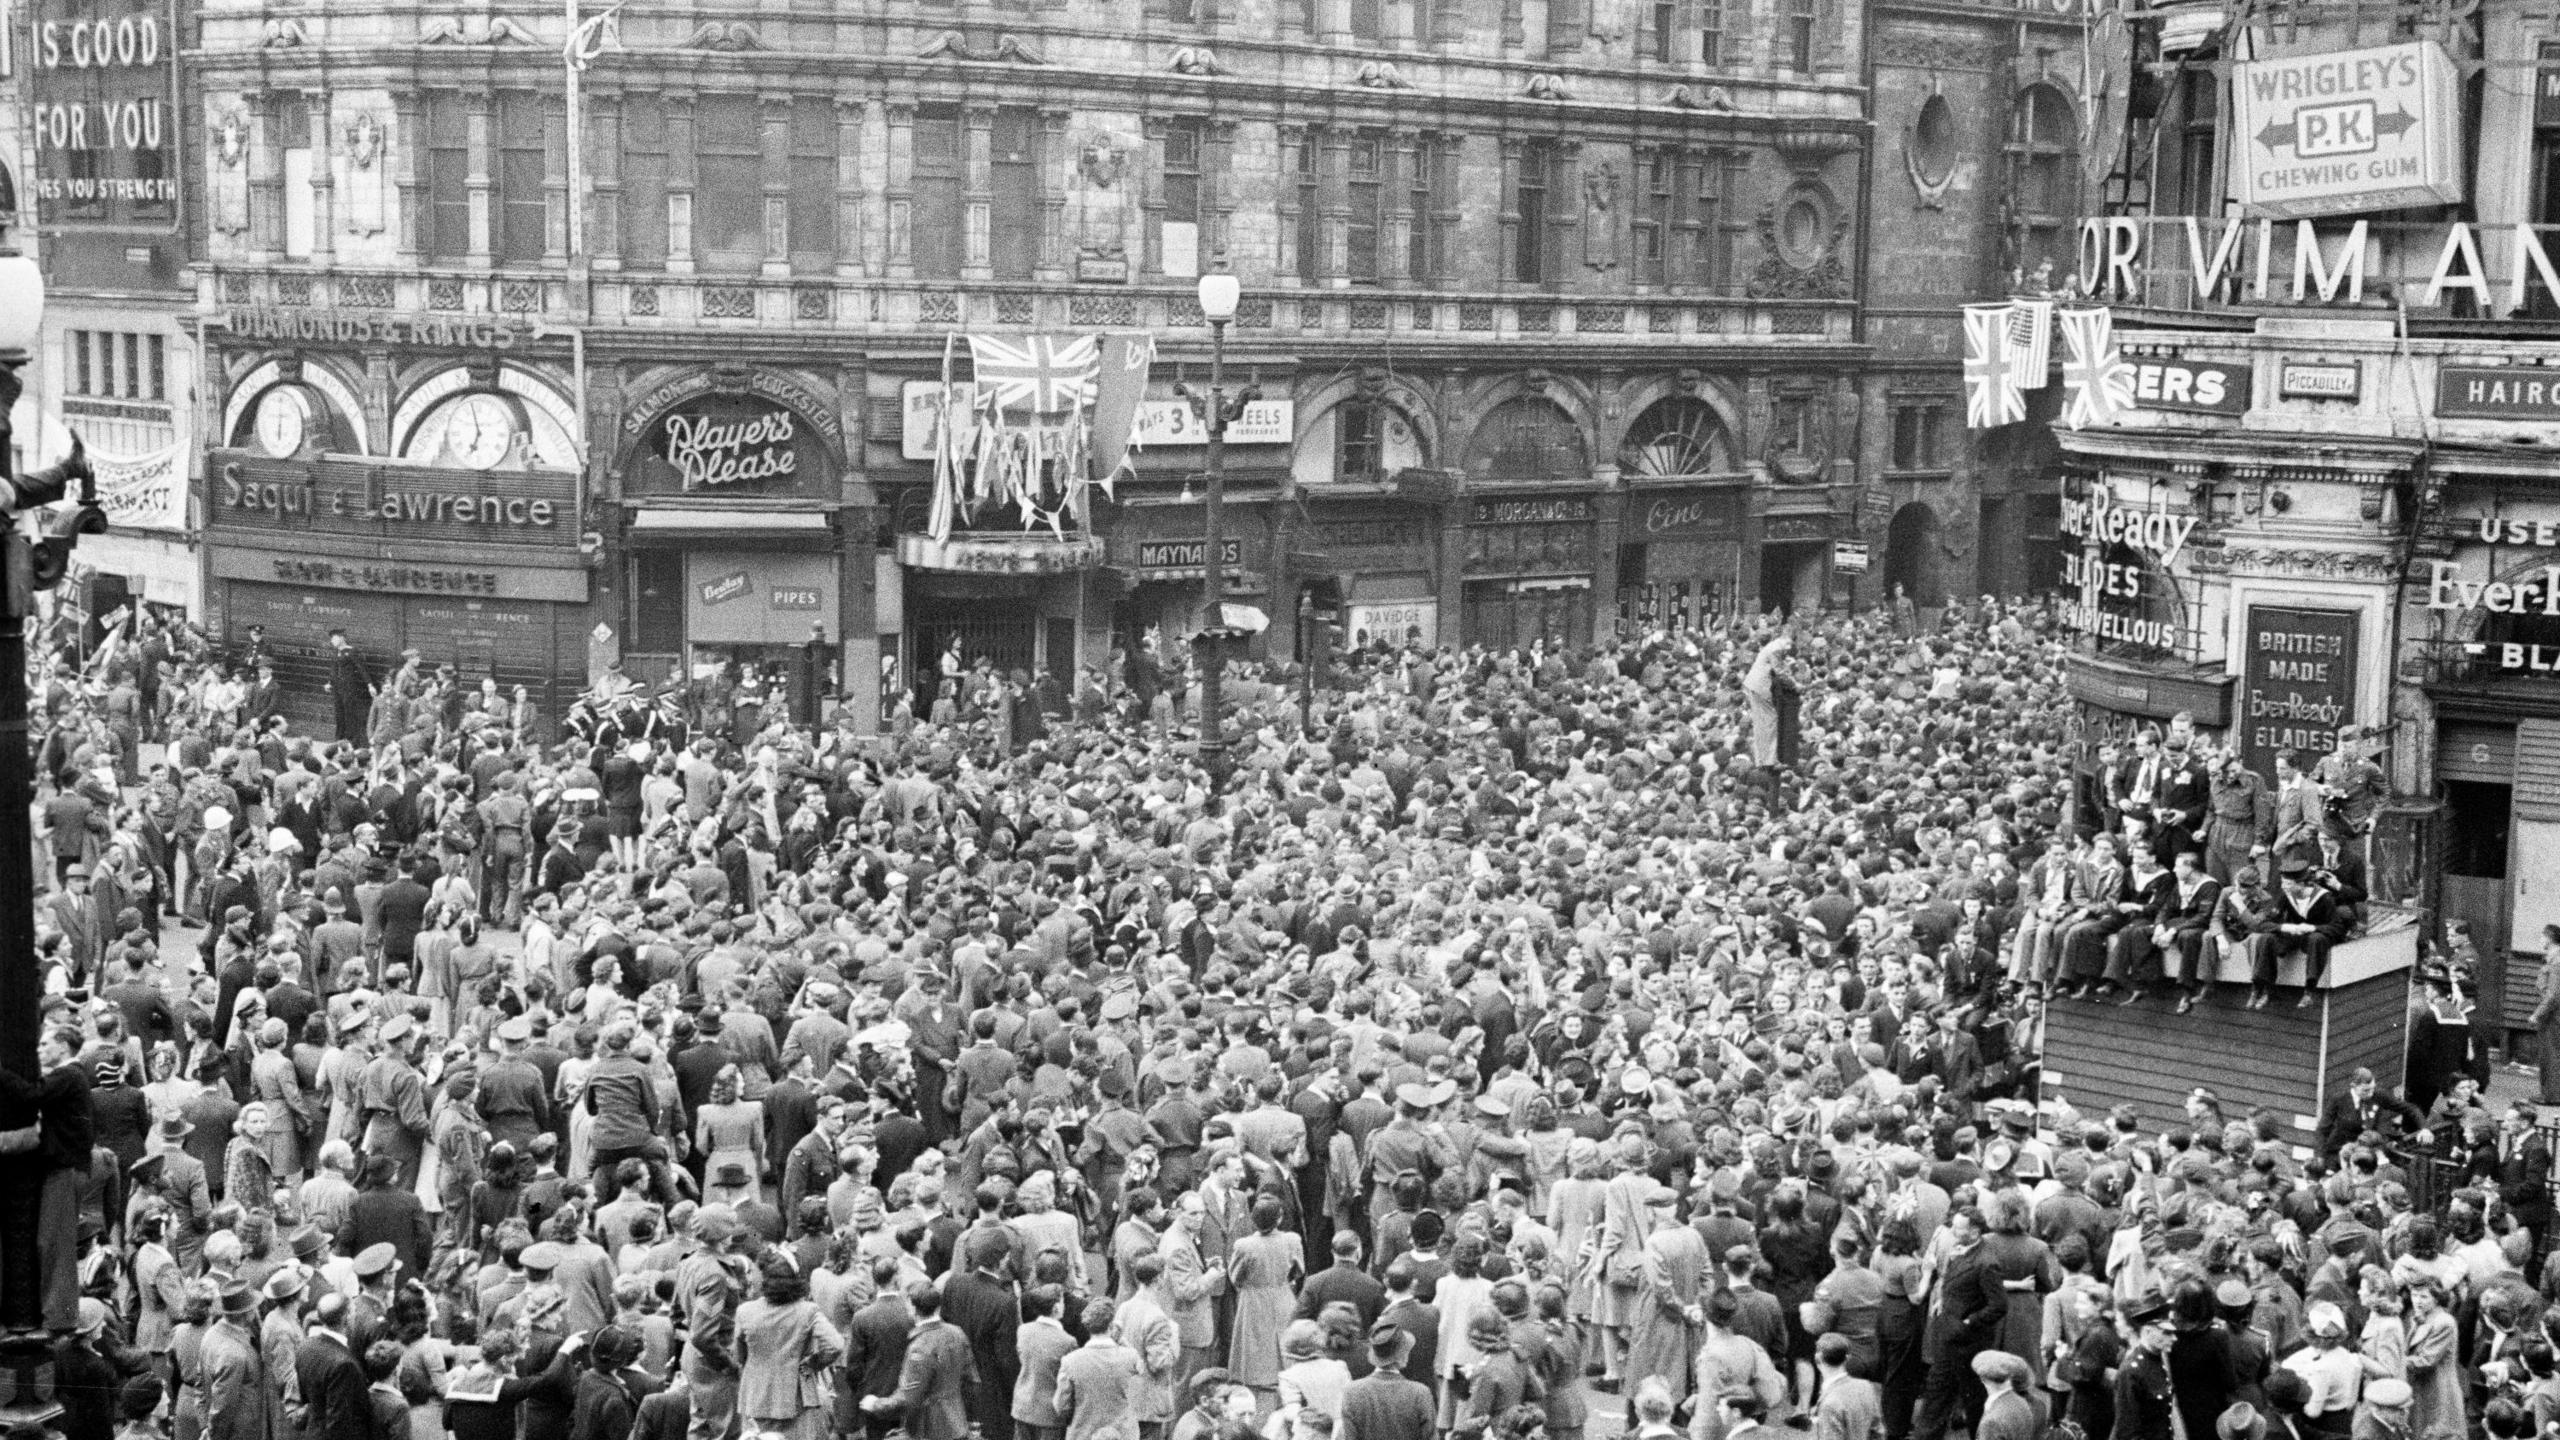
<point>2349,132</point>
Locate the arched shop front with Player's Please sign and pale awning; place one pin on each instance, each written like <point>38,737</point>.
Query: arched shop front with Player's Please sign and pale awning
<point>736,565</point>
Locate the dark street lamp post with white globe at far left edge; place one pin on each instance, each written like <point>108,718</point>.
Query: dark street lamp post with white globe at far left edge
<point>32,557</point>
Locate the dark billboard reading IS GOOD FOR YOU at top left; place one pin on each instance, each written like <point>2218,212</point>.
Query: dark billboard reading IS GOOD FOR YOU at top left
<point>101,104</point>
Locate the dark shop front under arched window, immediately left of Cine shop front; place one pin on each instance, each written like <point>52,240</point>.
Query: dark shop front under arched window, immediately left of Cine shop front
<point>1530,573</point>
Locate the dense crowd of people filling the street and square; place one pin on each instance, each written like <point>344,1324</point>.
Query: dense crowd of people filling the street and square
<point>1476,1039</point>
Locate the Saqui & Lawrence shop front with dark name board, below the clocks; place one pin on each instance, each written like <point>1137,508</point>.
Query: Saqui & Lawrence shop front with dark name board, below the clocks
<point>470,570</point>
